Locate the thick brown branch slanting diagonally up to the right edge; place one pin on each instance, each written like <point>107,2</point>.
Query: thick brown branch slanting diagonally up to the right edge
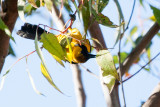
<point>132,57</point>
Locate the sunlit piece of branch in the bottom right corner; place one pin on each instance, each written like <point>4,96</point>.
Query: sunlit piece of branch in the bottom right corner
<point>154,99</point>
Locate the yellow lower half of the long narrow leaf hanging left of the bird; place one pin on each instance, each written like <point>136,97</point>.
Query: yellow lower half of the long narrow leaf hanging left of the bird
<point>48,77</point>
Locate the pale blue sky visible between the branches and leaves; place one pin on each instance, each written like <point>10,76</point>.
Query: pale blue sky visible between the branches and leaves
<point>18,92</point>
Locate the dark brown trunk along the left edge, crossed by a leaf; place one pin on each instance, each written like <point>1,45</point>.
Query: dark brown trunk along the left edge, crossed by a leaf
<point>9,19</point>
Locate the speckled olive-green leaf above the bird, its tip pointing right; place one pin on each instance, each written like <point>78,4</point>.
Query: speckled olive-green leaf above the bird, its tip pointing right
<point>102,19</point>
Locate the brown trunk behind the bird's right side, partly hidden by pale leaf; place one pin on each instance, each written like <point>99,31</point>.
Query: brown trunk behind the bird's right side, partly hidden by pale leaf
<point>112,99</point>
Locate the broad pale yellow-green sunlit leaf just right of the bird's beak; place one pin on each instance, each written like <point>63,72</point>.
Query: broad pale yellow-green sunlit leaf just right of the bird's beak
<point>109,72</point>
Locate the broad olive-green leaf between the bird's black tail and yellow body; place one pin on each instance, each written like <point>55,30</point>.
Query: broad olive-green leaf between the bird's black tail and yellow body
<point>51,44</point>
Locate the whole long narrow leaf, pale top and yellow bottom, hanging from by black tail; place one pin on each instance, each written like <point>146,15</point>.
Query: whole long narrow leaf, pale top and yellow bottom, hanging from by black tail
<point>43,64</point>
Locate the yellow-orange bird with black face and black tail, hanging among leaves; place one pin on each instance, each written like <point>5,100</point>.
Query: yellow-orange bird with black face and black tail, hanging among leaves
<point>81,48</point>
